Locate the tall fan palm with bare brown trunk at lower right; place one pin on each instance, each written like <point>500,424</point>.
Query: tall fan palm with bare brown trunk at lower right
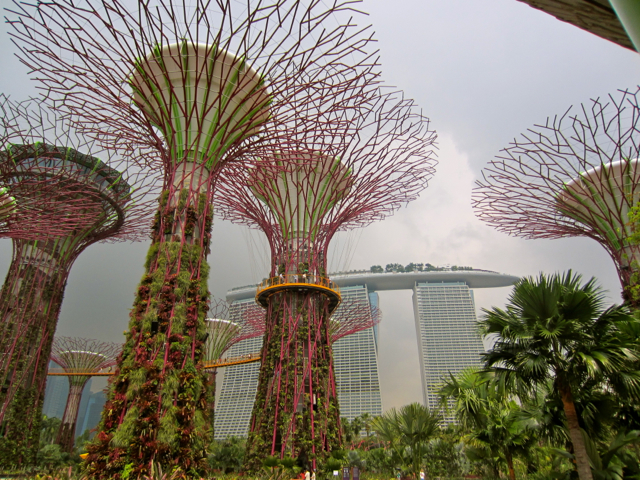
<point>557,329</point>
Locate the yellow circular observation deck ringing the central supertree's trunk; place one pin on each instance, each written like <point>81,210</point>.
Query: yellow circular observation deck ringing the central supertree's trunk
<point>299,283</point>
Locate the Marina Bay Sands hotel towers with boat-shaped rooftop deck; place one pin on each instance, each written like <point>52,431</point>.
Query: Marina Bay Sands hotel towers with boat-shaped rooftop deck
<point>445,319</point>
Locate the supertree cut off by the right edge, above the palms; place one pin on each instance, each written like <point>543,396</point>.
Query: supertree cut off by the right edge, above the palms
<point>575,175</point>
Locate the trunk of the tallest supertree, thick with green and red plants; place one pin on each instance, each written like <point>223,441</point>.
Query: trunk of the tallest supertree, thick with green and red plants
<point>157,407</point>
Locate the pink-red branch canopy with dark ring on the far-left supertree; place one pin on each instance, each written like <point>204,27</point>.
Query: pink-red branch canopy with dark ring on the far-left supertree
<point>63,184</point>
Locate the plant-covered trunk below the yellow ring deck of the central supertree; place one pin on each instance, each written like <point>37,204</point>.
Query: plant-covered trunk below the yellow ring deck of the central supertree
<point>296,412</point>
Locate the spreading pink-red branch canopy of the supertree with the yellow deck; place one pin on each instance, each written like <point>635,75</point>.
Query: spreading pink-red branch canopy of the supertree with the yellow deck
<point>381,160</point>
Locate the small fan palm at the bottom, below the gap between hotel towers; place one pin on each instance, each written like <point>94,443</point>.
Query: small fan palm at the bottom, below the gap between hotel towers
<point>408,432</point>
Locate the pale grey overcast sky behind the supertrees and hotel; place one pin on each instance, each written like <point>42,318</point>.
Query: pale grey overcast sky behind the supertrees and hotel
<point>483,72</point>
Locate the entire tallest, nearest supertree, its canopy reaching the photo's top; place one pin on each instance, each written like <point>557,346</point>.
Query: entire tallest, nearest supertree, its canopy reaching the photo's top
<point>189,87</point>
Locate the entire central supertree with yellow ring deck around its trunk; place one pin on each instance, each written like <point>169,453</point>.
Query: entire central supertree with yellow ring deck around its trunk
<point>300,194</point>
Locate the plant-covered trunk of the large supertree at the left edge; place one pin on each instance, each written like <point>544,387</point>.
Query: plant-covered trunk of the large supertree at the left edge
<point>30,305</point>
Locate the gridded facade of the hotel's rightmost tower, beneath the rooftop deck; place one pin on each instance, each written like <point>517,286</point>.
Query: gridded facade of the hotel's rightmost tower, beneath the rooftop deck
<point>446,328</point>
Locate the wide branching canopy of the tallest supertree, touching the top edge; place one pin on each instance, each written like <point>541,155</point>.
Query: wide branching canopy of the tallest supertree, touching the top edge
<point>92,56</point>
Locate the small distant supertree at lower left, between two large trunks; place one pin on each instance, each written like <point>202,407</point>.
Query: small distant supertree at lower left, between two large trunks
<point>77,356</point>
